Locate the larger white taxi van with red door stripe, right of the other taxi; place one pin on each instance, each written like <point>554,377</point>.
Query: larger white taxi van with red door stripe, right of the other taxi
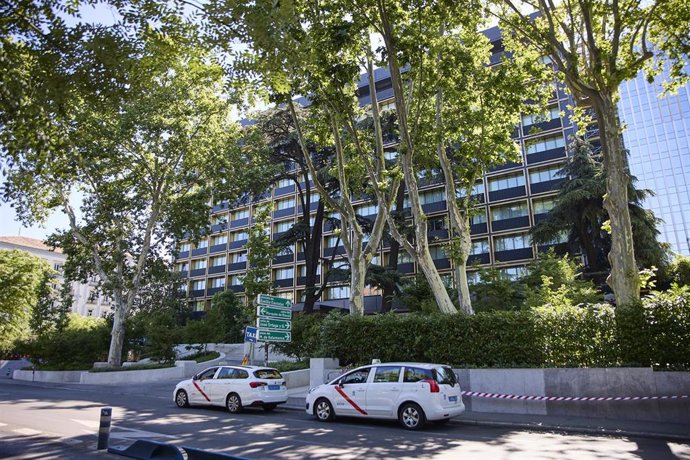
<point>412,393</point>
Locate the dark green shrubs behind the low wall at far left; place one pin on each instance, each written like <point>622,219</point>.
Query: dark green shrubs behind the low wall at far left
<point>83,341</point>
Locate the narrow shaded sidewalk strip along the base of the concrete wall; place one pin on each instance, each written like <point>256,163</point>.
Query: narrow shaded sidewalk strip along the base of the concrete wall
<point>677,432</point>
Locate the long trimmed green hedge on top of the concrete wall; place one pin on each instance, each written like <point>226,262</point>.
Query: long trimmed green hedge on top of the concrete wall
<point>655,332</point>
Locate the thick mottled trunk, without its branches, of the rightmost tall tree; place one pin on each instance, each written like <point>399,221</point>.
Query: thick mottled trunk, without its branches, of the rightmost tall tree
<point>624,278</point>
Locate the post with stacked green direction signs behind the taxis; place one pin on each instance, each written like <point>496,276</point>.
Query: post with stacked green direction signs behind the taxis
<point>273,320</point>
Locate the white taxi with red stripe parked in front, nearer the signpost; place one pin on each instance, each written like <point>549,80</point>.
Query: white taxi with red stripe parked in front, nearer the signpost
<point>234,387</point>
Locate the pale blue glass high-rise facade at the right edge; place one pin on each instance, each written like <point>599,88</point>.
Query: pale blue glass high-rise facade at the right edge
<point>658,137</point>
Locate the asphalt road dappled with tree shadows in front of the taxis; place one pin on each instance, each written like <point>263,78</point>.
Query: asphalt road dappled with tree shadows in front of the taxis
<point>39,420</point>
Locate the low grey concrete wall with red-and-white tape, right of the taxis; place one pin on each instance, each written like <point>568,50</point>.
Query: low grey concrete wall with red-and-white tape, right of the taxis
<point>613,382</point>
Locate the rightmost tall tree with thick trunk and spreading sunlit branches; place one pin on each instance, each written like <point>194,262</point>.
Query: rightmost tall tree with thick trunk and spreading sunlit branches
<point>596,45</point>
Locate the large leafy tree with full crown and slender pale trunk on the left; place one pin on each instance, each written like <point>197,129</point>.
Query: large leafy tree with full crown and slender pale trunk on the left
<point>138,123</point>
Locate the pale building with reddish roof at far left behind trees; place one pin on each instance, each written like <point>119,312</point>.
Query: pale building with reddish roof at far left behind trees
<point>86,299</point>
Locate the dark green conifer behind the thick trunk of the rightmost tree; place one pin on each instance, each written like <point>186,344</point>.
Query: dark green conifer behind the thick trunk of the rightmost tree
<point>579,211</point>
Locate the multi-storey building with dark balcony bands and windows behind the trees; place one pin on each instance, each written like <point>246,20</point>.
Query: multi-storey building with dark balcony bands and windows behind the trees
<point>512,197</point>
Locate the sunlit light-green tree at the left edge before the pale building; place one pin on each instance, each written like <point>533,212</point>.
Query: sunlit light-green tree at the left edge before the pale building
<point>22,277</point>
